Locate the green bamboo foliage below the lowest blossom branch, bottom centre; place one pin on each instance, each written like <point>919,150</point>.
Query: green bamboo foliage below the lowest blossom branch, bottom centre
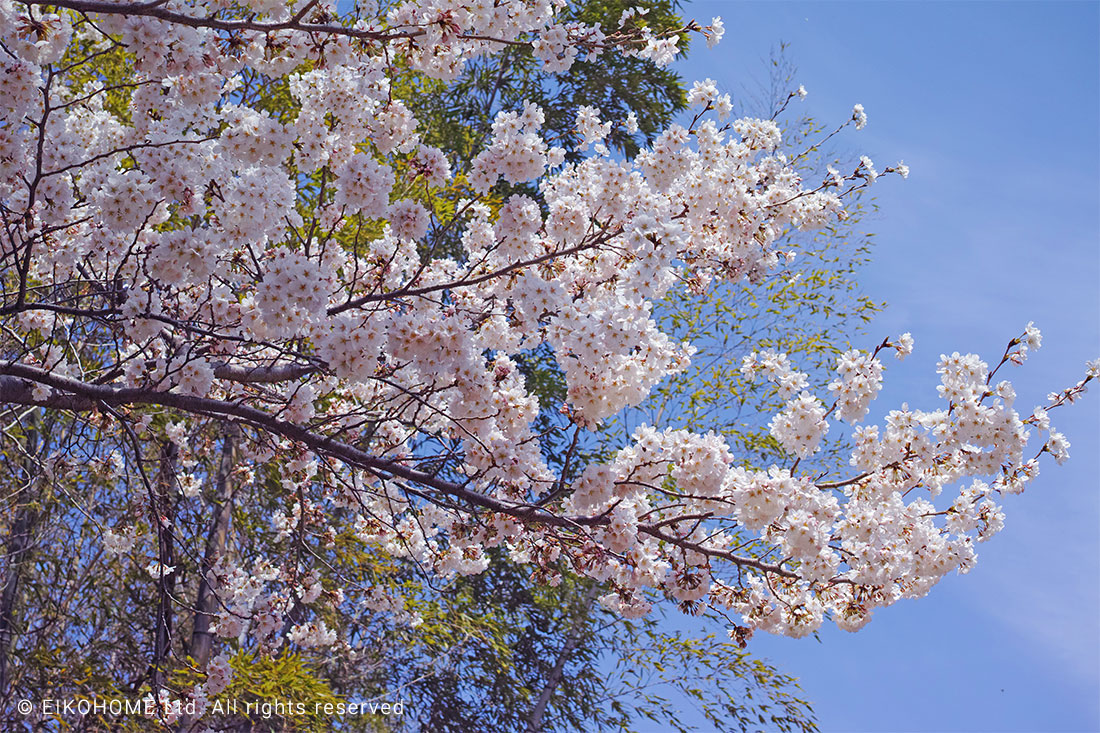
<point>491,642</point>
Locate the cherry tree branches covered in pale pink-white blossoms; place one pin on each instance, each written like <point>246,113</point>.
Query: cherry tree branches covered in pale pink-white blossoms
<point>247,248</point>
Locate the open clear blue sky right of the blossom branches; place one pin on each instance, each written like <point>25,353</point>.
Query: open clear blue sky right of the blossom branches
<point>996,108</point>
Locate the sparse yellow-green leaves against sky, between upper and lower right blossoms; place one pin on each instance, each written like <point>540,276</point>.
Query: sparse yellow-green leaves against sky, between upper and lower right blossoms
<point>811,309</point>
